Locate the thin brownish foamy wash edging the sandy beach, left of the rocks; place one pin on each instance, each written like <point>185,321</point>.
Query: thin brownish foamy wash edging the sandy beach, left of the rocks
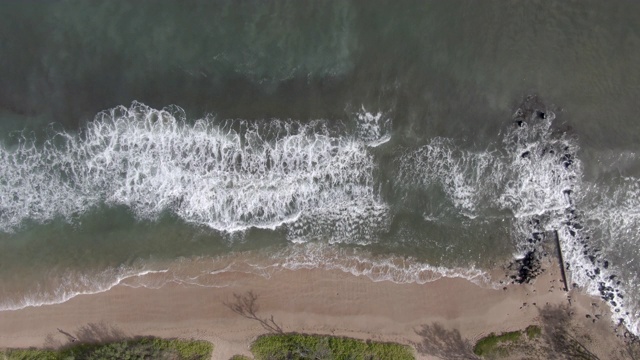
<point>215,271</point>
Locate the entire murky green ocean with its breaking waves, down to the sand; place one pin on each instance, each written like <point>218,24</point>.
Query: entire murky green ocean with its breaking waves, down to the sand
<point>150,142</point>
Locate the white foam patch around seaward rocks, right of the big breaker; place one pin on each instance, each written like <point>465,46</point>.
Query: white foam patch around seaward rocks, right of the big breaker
<point>525,176</point>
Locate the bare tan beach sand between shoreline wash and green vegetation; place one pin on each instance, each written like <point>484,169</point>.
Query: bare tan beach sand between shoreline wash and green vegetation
<point>311,301</point>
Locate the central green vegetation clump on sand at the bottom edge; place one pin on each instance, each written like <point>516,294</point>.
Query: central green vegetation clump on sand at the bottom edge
<point>300,346</point>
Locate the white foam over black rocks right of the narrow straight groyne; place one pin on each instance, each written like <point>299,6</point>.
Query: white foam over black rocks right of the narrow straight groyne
<point>611,216</point>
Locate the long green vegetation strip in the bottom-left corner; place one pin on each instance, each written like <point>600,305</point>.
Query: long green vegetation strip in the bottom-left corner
<point>133,349</point>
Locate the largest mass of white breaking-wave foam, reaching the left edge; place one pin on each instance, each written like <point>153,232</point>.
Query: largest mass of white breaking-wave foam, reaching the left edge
<point>228,175</point>
